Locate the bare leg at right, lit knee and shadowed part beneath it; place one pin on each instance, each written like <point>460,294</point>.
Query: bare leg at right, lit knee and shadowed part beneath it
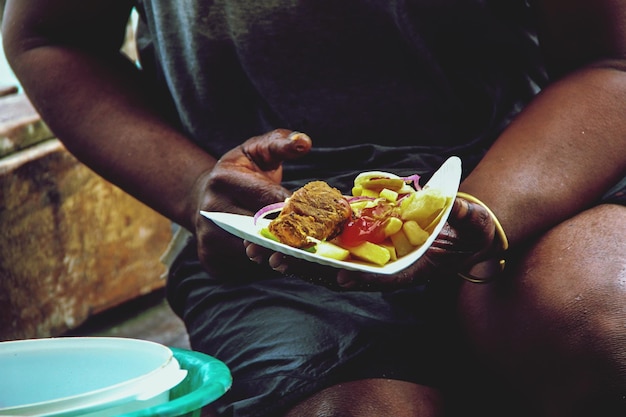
<point>556,331</point>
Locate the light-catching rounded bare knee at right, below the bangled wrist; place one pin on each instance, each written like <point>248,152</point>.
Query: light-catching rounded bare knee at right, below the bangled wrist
<point>573,280</point>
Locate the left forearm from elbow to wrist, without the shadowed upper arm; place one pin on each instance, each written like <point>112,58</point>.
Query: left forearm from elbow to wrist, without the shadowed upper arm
<point>102,113</point>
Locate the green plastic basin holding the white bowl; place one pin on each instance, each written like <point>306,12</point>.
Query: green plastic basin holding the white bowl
<point>207,380</point>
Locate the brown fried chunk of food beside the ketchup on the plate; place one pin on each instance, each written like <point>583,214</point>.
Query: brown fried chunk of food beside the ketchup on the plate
<point>316,210</point>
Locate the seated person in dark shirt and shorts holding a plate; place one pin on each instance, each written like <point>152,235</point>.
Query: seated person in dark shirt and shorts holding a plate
<point>235,104</point>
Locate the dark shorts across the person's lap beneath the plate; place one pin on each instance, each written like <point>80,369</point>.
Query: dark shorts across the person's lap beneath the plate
<point>284,338</point>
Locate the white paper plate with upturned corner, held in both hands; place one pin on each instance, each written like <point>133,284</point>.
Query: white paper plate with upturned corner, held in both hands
<point>446,180</point>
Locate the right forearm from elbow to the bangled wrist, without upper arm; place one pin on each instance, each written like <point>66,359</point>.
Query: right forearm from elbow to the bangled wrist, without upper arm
<point>559,156</point>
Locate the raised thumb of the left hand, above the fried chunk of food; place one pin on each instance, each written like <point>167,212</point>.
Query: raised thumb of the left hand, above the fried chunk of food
<point>270,150</point>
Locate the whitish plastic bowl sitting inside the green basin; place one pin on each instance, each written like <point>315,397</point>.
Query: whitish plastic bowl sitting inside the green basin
<point>86,376</point>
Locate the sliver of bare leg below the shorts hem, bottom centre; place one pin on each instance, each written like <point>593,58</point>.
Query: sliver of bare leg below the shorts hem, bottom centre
<point>372,398</point>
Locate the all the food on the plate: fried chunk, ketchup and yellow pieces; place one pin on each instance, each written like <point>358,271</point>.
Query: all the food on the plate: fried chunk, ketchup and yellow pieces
<point>386,218</point>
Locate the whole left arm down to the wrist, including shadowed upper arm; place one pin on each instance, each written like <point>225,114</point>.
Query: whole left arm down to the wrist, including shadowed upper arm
<point>65,53</point>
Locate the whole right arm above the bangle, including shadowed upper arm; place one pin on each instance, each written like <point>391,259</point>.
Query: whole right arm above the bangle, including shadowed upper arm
<point>569,145</point>
